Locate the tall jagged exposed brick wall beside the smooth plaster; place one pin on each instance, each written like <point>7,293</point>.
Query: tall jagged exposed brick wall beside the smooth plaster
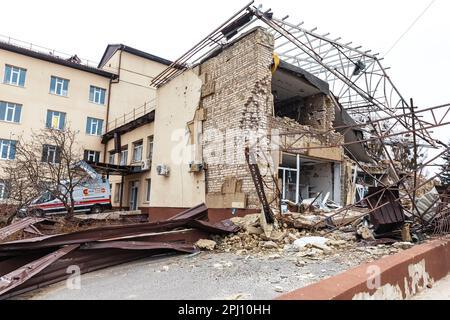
<point>238,102</point>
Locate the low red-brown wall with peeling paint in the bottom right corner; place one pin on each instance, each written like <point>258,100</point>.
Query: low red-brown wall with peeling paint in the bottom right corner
<point>395,277</point>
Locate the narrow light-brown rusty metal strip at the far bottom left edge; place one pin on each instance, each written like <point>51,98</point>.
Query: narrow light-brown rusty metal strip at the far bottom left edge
<point>19,276</point>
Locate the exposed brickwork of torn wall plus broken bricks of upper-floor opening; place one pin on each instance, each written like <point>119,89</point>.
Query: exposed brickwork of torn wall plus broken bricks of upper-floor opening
<point>239,106</point>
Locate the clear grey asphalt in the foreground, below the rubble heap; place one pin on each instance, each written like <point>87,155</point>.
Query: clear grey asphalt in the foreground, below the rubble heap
<point>202,277</point>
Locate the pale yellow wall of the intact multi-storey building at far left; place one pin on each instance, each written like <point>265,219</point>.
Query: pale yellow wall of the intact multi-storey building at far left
<point>36,99</point>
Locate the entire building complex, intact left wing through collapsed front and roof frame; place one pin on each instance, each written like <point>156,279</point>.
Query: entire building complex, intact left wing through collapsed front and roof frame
<point>314,112</point>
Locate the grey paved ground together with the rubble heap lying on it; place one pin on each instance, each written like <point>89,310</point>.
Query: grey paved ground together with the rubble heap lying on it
<point>245,265</point>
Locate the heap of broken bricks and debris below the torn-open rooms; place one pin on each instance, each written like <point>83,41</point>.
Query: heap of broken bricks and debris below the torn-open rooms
<point>295,240</point>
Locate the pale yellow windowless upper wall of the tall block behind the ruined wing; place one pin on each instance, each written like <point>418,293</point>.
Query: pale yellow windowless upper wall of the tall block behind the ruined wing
<point>133,90</point>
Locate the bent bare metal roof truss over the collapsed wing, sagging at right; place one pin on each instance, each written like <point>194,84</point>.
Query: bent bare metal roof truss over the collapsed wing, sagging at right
<point>359,84</point>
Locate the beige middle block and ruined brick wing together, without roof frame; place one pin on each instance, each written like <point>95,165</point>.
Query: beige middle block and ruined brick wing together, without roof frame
<point>174,147</point>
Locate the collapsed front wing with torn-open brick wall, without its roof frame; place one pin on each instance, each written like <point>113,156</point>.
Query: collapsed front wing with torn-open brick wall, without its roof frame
<point>238,93</point>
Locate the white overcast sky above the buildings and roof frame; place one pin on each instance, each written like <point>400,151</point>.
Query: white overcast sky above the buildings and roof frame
<point>420,62</point>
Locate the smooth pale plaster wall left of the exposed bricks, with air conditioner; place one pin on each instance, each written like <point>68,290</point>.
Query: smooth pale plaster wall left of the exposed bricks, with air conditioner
<point>177,102</point>
